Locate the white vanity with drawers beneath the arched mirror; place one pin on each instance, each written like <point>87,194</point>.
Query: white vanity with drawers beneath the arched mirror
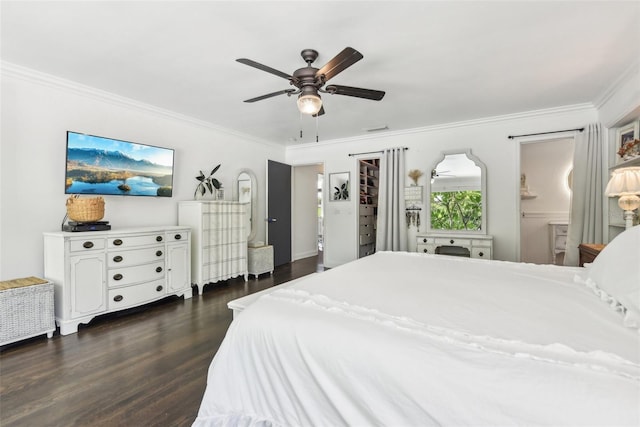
<point>466,245</point>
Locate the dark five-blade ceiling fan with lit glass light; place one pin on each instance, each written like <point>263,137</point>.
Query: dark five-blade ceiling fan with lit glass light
<point>308,81</point>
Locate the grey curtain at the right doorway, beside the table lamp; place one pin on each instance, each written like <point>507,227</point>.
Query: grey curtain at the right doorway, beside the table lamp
<point>587,197</point>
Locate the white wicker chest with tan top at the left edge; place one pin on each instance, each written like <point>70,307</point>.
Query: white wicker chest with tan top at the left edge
<point>26,309</point>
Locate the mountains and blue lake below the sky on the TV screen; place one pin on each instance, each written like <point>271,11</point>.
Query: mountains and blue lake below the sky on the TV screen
<point>96,171</point>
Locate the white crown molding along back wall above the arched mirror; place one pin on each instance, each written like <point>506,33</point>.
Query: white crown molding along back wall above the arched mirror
<point>452,125</point>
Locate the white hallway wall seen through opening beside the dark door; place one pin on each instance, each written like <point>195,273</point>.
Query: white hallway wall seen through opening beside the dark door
<point>304,220</point>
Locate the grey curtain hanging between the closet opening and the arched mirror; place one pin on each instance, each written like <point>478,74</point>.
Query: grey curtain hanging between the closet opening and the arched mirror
<point>391,234</point>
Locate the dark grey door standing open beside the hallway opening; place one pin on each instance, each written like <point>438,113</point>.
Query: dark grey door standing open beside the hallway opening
<point>279,211</point>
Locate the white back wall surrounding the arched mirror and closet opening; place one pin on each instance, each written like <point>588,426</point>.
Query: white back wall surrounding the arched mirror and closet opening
<point>487,139</point>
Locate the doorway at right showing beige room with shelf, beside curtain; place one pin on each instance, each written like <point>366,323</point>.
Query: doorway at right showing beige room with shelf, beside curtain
<point>545,199</point>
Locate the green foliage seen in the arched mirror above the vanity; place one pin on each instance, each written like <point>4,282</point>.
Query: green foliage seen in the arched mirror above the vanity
<point>456,210</point>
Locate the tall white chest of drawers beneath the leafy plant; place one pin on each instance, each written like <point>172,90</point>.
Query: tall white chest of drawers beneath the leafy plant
<point>218,241</point>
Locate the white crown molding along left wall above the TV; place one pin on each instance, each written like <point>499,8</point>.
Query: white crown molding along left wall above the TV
<point>15,71</point>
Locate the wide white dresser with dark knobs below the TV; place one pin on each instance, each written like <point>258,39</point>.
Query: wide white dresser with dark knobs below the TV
<point>100,272</point>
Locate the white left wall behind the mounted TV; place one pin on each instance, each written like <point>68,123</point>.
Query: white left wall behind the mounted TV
<point>37,110</point>
